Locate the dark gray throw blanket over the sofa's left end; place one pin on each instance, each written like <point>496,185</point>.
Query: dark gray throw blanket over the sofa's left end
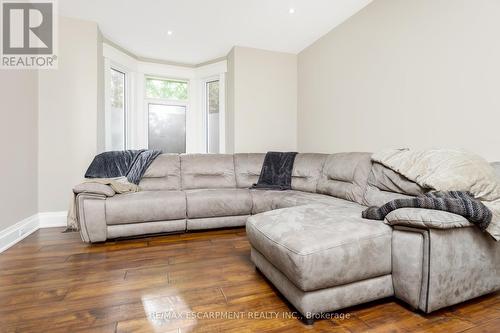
<point>129,163</point>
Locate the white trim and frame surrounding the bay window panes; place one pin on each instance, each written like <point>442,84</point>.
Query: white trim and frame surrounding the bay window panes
<point>137,116</point>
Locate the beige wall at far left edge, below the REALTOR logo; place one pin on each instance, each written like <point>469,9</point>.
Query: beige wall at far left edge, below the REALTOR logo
<point>18,134</point>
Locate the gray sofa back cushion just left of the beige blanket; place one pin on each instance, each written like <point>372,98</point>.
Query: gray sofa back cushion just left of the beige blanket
<point>345,176</point>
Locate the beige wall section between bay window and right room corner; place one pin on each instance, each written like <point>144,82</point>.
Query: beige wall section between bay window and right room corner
<point>262,100</point>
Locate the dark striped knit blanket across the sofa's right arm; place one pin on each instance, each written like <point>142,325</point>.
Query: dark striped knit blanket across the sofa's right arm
<point>457,202</point>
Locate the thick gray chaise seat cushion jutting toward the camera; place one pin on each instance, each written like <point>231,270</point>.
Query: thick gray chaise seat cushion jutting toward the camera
<point>320,246</point>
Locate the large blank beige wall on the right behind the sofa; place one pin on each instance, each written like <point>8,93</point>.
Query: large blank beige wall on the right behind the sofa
<point>404,74</point>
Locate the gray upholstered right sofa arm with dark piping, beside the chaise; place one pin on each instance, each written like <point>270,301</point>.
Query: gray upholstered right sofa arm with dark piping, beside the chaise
<point>457,265</point>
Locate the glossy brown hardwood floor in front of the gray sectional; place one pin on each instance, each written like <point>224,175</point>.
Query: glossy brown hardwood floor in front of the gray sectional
<point>52,282</point>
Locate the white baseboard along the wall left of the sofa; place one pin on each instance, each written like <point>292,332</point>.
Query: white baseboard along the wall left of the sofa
<point>22,229</point>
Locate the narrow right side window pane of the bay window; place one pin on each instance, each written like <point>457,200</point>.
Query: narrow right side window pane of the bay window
<point>213,117</point>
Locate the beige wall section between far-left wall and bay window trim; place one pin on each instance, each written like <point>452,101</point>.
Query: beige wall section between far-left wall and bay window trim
<point>69,107</point>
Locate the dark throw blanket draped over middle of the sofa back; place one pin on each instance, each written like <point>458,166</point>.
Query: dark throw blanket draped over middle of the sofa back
<point>276,173</point>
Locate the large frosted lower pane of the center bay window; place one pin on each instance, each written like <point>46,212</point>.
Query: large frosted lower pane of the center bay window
<point>167,128</point>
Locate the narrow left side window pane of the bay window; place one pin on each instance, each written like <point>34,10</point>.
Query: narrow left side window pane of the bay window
<point>117,113</point>
